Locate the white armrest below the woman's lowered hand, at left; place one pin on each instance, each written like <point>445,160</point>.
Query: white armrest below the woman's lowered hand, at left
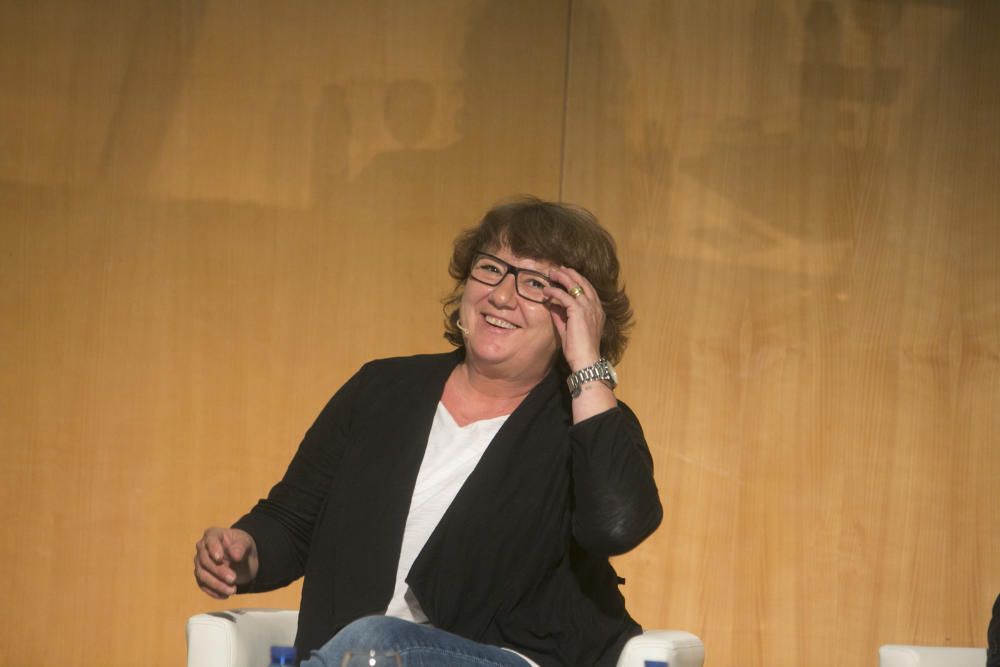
<point>239,637</point>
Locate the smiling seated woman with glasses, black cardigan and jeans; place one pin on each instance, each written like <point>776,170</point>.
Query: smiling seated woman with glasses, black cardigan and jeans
<point>460,508</point>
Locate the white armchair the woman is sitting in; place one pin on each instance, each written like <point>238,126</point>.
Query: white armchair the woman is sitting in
<point>243,637</point>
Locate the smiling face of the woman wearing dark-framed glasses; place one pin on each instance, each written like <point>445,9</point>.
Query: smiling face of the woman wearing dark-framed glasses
<point>512,336</point>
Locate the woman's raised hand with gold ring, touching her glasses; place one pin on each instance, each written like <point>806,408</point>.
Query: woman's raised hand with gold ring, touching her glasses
<point>579,319</point>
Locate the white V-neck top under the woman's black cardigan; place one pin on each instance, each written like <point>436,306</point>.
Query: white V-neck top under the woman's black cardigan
<point>452,453</point>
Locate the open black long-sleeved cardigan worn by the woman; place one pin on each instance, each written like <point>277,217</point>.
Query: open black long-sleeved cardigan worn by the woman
<point>519,559</point>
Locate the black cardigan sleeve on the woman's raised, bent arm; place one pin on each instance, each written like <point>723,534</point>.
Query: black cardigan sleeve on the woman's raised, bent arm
<point>616,503</point>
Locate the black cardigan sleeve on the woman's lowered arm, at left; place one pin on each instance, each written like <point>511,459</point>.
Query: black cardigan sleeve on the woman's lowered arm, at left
<point>282,524</point>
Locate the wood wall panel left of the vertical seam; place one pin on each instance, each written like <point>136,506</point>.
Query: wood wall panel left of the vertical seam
<point>210,215</point>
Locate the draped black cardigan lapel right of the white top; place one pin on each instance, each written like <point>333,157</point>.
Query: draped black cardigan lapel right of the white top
<point>510,511</point>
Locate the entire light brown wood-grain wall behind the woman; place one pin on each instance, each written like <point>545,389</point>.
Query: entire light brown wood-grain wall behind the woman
<point>211,213</point>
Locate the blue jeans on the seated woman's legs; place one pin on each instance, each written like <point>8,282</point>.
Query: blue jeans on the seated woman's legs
<point>417,645</point>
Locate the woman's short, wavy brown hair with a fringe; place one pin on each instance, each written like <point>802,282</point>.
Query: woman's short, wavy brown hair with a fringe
<point>563,234</point>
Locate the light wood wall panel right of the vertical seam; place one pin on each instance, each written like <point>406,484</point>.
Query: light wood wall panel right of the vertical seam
<point>805,195</point>
